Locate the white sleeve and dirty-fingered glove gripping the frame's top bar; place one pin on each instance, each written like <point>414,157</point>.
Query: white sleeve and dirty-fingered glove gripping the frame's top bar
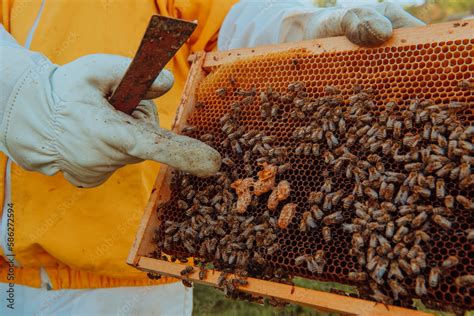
<point>252,23</point>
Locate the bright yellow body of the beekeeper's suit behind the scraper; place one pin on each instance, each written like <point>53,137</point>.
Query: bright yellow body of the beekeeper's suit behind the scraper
<point>81,237</point>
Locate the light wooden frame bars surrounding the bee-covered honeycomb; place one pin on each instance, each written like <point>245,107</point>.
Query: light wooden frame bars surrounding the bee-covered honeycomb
<point>203,63</point>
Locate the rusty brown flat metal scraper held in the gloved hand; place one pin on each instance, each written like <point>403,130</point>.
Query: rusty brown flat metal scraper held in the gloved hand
<point>163,37</point>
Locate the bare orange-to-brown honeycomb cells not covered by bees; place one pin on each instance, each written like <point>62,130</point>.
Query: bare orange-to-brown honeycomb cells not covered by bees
<point>429,71</point>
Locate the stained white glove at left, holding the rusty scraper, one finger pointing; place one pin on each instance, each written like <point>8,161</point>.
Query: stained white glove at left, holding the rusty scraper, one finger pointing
<point>57,119</point>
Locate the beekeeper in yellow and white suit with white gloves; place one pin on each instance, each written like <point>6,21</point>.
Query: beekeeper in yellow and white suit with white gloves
<point>64,248</point>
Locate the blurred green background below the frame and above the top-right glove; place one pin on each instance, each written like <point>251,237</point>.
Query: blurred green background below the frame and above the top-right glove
<point>210,301</point>
